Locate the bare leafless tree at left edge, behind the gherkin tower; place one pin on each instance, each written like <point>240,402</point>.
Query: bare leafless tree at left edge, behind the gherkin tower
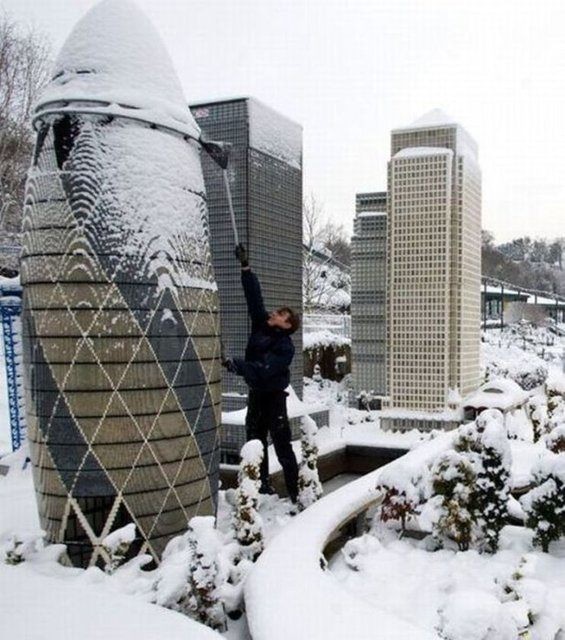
<point>24,66</point>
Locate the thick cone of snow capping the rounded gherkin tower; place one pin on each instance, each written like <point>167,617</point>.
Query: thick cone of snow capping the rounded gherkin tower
<point>114,55</point>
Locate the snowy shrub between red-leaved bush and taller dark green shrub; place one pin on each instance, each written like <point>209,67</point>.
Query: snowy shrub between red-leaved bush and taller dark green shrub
<point>453,481</point>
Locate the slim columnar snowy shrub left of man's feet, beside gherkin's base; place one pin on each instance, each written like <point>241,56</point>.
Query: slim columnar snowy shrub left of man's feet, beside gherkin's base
<point>247,522</point>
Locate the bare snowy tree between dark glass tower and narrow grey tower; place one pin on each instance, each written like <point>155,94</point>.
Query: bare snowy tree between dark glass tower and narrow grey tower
<point>325,284</point>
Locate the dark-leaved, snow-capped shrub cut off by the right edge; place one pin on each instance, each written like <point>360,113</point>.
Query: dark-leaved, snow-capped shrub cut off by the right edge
<point>544,505</point>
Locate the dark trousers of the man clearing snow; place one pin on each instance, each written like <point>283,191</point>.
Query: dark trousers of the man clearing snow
<point>266,415</point>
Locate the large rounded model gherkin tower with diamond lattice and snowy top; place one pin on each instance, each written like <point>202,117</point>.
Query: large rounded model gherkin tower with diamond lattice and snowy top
<point>120,319</point>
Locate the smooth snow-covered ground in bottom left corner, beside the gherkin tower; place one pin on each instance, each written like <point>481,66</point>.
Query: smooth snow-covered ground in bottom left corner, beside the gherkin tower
<point>43,599</point>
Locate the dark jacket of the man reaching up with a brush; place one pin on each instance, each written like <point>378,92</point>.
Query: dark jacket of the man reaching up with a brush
<point>269,350</point>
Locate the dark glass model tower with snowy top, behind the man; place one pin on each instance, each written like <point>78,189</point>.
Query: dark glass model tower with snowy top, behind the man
<point>265,174</point>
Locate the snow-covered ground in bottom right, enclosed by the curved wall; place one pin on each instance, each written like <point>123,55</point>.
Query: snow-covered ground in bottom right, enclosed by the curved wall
<point>462,594</point>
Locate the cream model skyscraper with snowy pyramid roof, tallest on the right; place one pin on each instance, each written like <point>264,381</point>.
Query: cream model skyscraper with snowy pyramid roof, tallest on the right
<point>434,253</point>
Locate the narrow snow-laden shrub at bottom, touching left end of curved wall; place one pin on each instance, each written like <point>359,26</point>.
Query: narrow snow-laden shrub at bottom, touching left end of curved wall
<point>202,602</point>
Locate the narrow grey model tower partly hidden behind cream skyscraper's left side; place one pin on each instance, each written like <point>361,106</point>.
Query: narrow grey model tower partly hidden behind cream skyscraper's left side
<point>368,297</point>
